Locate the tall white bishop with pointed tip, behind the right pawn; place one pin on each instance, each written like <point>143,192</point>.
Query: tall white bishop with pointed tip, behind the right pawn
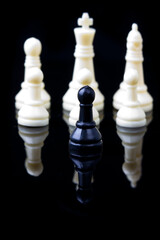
<point>134,59</point>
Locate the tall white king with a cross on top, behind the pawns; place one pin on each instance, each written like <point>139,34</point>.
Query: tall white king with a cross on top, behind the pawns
<point>84,54</point>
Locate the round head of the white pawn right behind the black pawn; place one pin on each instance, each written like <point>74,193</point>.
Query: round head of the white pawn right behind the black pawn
<point>84,76</point>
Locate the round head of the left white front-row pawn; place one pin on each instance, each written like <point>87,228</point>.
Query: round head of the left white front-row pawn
<point>34,75</point>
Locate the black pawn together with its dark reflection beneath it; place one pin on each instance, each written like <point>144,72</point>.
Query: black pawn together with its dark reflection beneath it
<point>85,145</point>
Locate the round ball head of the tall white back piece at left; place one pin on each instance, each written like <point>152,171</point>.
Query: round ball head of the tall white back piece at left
<point>32,47</point>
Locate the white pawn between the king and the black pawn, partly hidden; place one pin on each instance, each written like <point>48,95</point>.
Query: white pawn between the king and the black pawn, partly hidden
<point>84,77</point>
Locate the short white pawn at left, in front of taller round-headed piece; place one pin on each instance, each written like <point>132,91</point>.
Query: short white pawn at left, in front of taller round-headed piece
<point>33,113</point>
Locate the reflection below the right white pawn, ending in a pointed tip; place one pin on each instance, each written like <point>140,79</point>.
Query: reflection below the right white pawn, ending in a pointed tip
<point>132,141</point>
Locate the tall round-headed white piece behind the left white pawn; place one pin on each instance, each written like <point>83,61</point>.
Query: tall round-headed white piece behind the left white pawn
<point>32,49</point>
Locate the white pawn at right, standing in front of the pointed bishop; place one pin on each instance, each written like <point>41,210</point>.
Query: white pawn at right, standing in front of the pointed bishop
<point>131,114</point>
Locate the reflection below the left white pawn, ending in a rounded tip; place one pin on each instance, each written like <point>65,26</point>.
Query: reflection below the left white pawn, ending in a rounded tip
<point>33,140</point>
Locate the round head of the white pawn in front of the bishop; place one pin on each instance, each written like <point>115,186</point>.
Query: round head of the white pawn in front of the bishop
<point>131,77</point>
